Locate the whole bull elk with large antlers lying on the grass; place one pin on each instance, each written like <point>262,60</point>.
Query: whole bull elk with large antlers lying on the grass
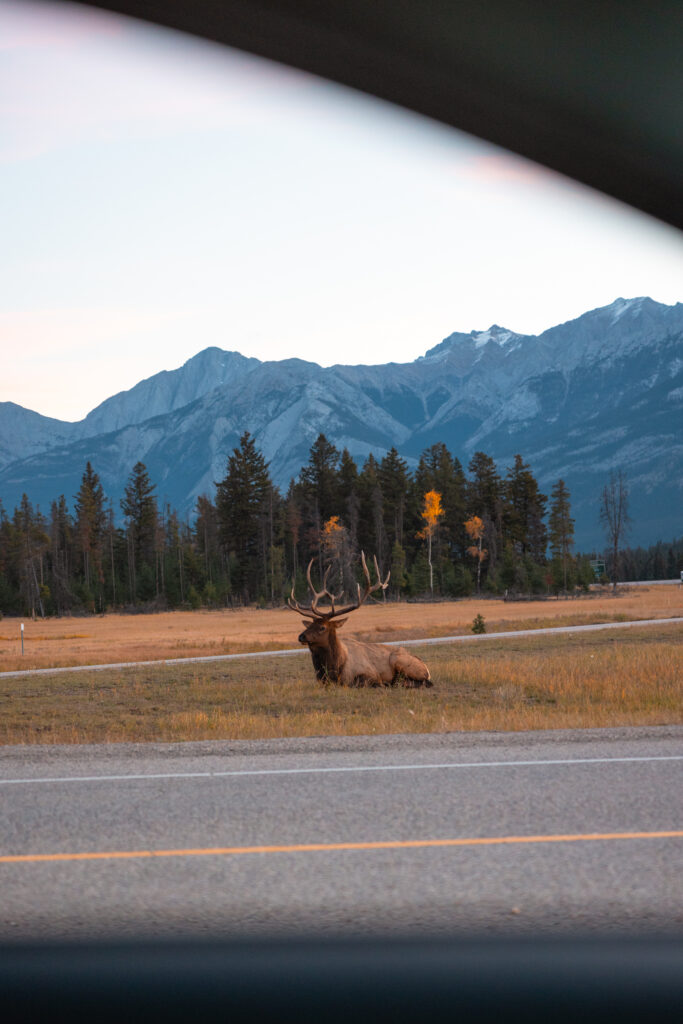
<point>354,663</point>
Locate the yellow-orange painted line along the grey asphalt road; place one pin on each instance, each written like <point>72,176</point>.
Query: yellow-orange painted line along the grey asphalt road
<point>230,851</point>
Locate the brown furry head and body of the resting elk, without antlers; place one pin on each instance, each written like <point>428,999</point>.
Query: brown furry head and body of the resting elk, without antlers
<point>354,663</point>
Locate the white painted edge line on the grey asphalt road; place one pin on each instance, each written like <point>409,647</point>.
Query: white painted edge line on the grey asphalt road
<point>331,771</point>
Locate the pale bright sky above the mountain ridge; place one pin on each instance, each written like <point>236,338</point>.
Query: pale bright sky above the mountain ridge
<point>161,195</point>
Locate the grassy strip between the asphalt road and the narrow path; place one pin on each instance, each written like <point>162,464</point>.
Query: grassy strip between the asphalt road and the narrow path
<point>544,682</point>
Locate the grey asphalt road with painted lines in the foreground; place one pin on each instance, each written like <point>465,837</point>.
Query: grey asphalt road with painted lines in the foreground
<point>381,837</point>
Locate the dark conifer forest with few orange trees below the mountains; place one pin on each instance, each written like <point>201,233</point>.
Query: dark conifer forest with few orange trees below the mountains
<point>443,531</point>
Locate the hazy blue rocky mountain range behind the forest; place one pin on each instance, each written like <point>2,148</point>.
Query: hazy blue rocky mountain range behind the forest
<point>596,394</point>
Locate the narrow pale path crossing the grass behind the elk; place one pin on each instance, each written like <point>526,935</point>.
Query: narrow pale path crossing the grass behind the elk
<point>461,638</point>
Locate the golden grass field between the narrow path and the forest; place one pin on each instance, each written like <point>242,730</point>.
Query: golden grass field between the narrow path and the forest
<point>109,639</point>
